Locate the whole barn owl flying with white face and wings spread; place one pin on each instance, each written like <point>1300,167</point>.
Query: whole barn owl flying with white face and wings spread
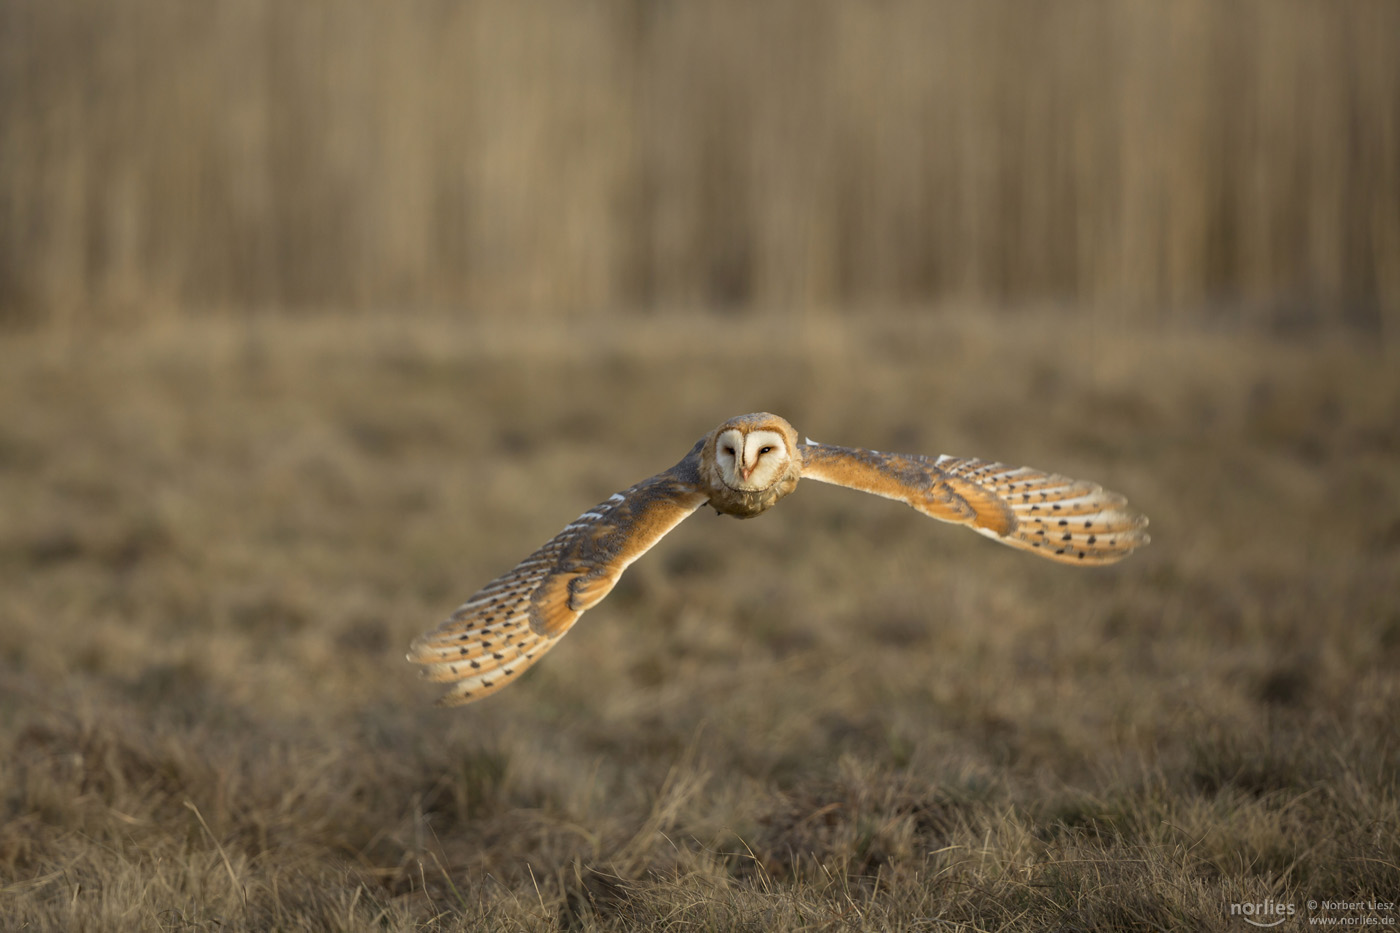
<point>743,469</point>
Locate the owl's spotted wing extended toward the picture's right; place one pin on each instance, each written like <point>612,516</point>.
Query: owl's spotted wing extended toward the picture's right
<point>1058,518</point>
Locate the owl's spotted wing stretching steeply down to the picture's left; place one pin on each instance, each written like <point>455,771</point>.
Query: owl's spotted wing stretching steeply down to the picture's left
<point>510,623</point>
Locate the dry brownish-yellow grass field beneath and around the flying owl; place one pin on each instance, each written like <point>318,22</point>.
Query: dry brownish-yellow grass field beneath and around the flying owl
<point>219,537</point>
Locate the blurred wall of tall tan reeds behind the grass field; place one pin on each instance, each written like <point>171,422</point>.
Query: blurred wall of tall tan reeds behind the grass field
<point>1149,158</point>
